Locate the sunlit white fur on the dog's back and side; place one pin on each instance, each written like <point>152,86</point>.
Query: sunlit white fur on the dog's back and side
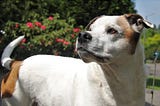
<point>51,84</point>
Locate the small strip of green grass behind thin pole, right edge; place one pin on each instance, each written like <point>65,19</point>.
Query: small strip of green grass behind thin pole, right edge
<point>150,83</point>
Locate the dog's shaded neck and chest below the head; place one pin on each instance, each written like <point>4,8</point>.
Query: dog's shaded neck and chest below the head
<point>127,78</point>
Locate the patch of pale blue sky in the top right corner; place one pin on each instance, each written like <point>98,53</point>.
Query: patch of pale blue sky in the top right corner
<point>149,9</point>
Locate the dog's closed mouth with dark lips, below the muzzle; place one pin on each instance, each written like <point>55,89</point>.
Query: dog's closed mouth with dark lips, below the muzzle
<point>93,55</point>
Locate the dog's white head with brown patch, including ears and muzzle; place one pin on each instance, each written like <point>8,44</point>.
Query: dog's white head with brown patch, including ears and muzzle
<point>110,37</point>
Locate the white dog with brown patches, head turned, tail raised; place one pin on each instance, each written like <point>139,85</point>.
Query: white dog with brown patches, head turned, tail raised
<point>110,72</point>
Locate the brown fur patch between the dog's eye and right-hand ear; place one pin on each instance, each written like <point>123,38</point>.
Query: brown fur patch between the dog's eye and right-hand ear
<point>129,33</point>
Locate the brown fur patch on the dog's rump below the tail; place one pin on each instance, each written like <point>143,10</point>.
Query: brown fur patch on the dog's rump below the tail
<point>9,81</point>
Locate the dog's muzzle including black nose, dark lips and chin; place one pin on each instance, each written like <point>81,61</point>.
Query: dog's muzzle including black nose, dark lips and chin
<point>87,51</point>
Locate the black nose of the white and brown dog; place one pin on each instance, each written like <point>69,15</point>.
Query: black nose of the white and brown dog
<point>84,37</point>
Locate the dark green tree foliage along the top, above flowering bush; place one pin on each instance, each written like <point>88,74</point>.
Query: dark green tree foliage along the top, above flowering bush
<point>81,10</point>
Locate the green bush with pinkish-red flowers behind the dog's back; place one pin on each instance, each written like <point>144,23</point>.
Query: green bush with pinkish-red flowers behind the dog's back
<point>50,35</point>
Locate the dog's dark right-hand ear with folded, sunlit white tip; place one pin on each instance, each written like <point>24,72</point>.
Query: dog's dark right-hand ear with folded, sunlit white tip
<point>137,22</point>
